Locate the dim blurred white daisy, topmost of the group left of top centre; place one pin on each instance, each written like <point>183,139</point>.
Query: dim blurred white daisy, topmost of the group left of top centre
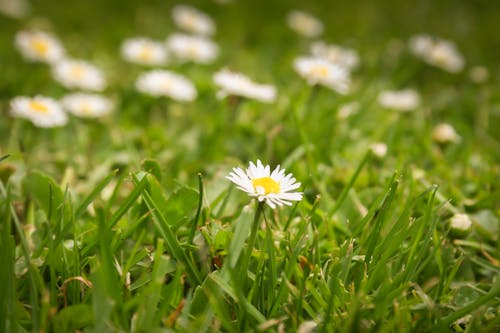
<point>192,20</point>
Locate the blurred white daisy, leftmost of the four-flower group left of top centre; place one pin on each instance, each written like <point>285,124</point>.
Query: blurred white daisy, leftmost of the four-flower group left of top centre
<point>144,51</point>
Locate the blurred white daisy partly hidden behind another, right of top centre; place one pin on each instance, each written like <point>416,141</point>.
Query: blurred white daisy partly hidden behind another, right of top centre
<point>335,54</point>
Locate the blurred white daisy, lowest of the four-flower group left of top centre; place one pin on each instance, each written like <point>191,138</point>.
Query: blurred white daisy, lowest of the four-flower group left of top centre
<point>165,83</point>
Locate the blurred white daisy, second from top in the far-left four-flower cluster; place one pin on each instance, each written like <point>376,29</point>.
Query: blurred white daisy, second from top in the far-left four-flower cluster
<point>79,74</point>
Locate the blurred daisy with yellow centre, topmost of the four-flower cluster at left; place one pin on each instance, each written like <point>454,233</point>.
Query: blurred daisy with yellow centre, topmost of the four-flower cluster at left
<point>39,46</point>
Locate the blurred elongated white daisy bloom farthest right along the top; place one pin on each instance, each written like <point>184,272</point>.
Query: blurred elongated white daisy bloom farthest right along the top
<point>437,52</point>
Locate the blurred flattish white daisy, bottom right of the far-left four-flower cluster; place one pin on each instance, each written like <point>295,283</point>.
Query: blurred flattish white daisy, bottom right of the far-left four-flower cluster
<point>87,105</point>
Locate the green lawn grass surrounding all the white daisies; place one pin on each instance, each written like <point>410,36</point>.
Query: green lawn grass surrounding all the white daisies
<point>128,224</point>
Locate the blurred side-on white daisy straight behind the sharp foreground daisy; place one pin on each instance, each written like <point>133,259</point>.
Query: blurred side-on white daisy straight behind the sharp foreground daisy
<point>237,84</point>
